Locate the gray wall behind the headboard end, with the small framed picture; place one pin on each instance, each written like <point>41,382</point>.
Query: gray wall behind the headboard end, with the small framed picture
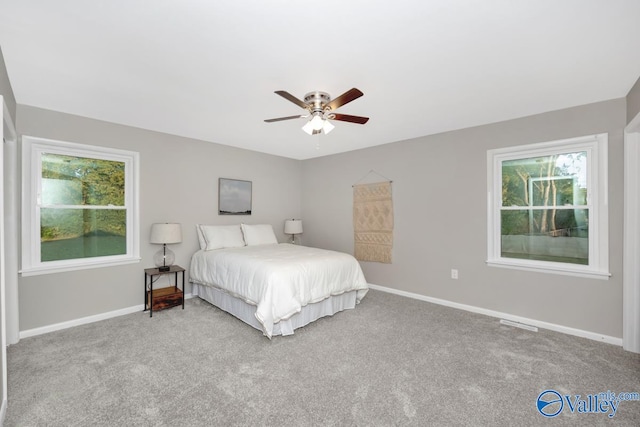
<point>178,183</point>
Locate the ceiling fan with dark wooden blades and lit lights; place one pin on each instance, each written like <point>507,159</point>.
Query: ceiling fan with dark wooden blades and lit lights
<point>321,109</point>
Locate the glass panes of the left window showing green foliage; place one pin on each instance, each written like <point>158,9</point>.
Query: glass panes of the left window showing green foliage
<point>82,209</point>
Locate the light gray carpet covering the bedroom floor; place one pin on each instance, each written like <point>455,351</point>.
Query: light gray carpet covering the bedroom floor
<point>391,361</point>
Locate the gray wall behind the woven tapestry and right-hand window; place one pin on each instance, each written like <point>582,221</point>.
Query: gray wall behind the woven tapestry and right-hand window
<point>440,208</point>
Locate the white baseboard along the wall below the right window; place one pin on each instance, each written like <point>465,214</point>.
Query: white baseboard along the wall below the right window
<point>543,325</point>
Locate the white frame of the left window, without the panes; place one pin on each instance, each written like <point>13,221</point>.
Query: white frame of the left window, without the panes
<point>32,148</point>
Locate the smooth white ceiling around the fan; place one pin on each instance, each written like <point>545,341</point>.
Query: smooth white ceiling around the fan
<point>208,69</point>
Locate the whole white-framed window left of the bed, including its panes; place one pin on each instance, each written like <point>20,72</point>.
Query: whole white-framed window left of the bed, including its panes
<point>80,206</point>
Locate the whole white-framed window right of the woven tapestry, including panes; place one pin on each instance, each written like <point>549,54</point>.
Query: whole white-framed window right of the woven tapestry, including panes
<point>547,207</point>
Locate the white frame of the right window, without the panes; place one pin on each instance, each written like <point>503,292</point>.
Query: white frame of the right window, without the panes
<point>596,147</point>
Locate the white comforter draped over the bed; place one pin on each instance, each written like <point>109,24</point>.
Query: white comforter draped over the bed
<point>278,279</point>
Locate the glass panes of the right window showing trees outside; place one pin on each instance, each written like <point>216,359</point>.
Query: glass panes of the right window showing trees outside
<point>544,214</point>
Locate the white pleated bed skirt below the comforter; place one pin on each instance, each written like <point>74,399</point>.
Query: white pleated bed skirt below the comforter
<point>246,312</point>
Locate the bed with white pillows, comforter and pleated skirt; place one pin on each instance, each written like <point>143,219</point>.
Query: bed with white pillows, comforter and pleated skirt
<point>274,287</point>
